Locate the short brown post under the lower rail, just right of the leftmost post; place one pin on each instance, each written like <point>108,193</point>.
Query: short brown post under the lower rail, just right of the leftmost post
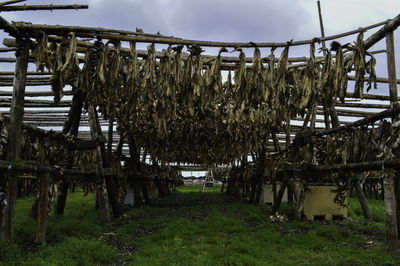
<point>42,208</point>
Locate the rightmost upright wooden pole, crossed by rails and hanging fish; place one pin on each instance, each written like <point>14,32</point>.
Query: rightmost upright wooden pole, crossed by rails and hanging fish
<point>388,180</point>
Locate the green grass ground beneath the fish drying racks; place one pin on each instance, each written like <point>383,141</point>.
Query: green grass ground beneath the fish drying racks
<point>198,227</point>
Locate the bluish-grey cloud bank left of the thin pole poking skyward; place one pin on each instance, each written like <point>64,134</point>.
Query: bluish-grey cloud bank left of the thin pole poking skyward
<point>226,20</point>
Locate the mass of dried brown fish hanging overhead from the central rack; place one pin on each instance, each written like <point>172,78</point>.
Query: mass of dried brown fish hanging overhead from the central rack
<point>179,108</point>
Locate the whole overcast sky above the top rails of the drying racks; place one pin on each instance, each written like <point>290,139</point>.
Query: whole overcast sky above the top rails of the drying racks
<point>224,20</point>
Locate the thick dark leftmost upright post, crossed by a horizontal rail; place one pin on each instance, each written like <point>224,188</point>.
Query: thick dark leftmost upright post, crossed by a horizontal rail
<point>15,137</point>
